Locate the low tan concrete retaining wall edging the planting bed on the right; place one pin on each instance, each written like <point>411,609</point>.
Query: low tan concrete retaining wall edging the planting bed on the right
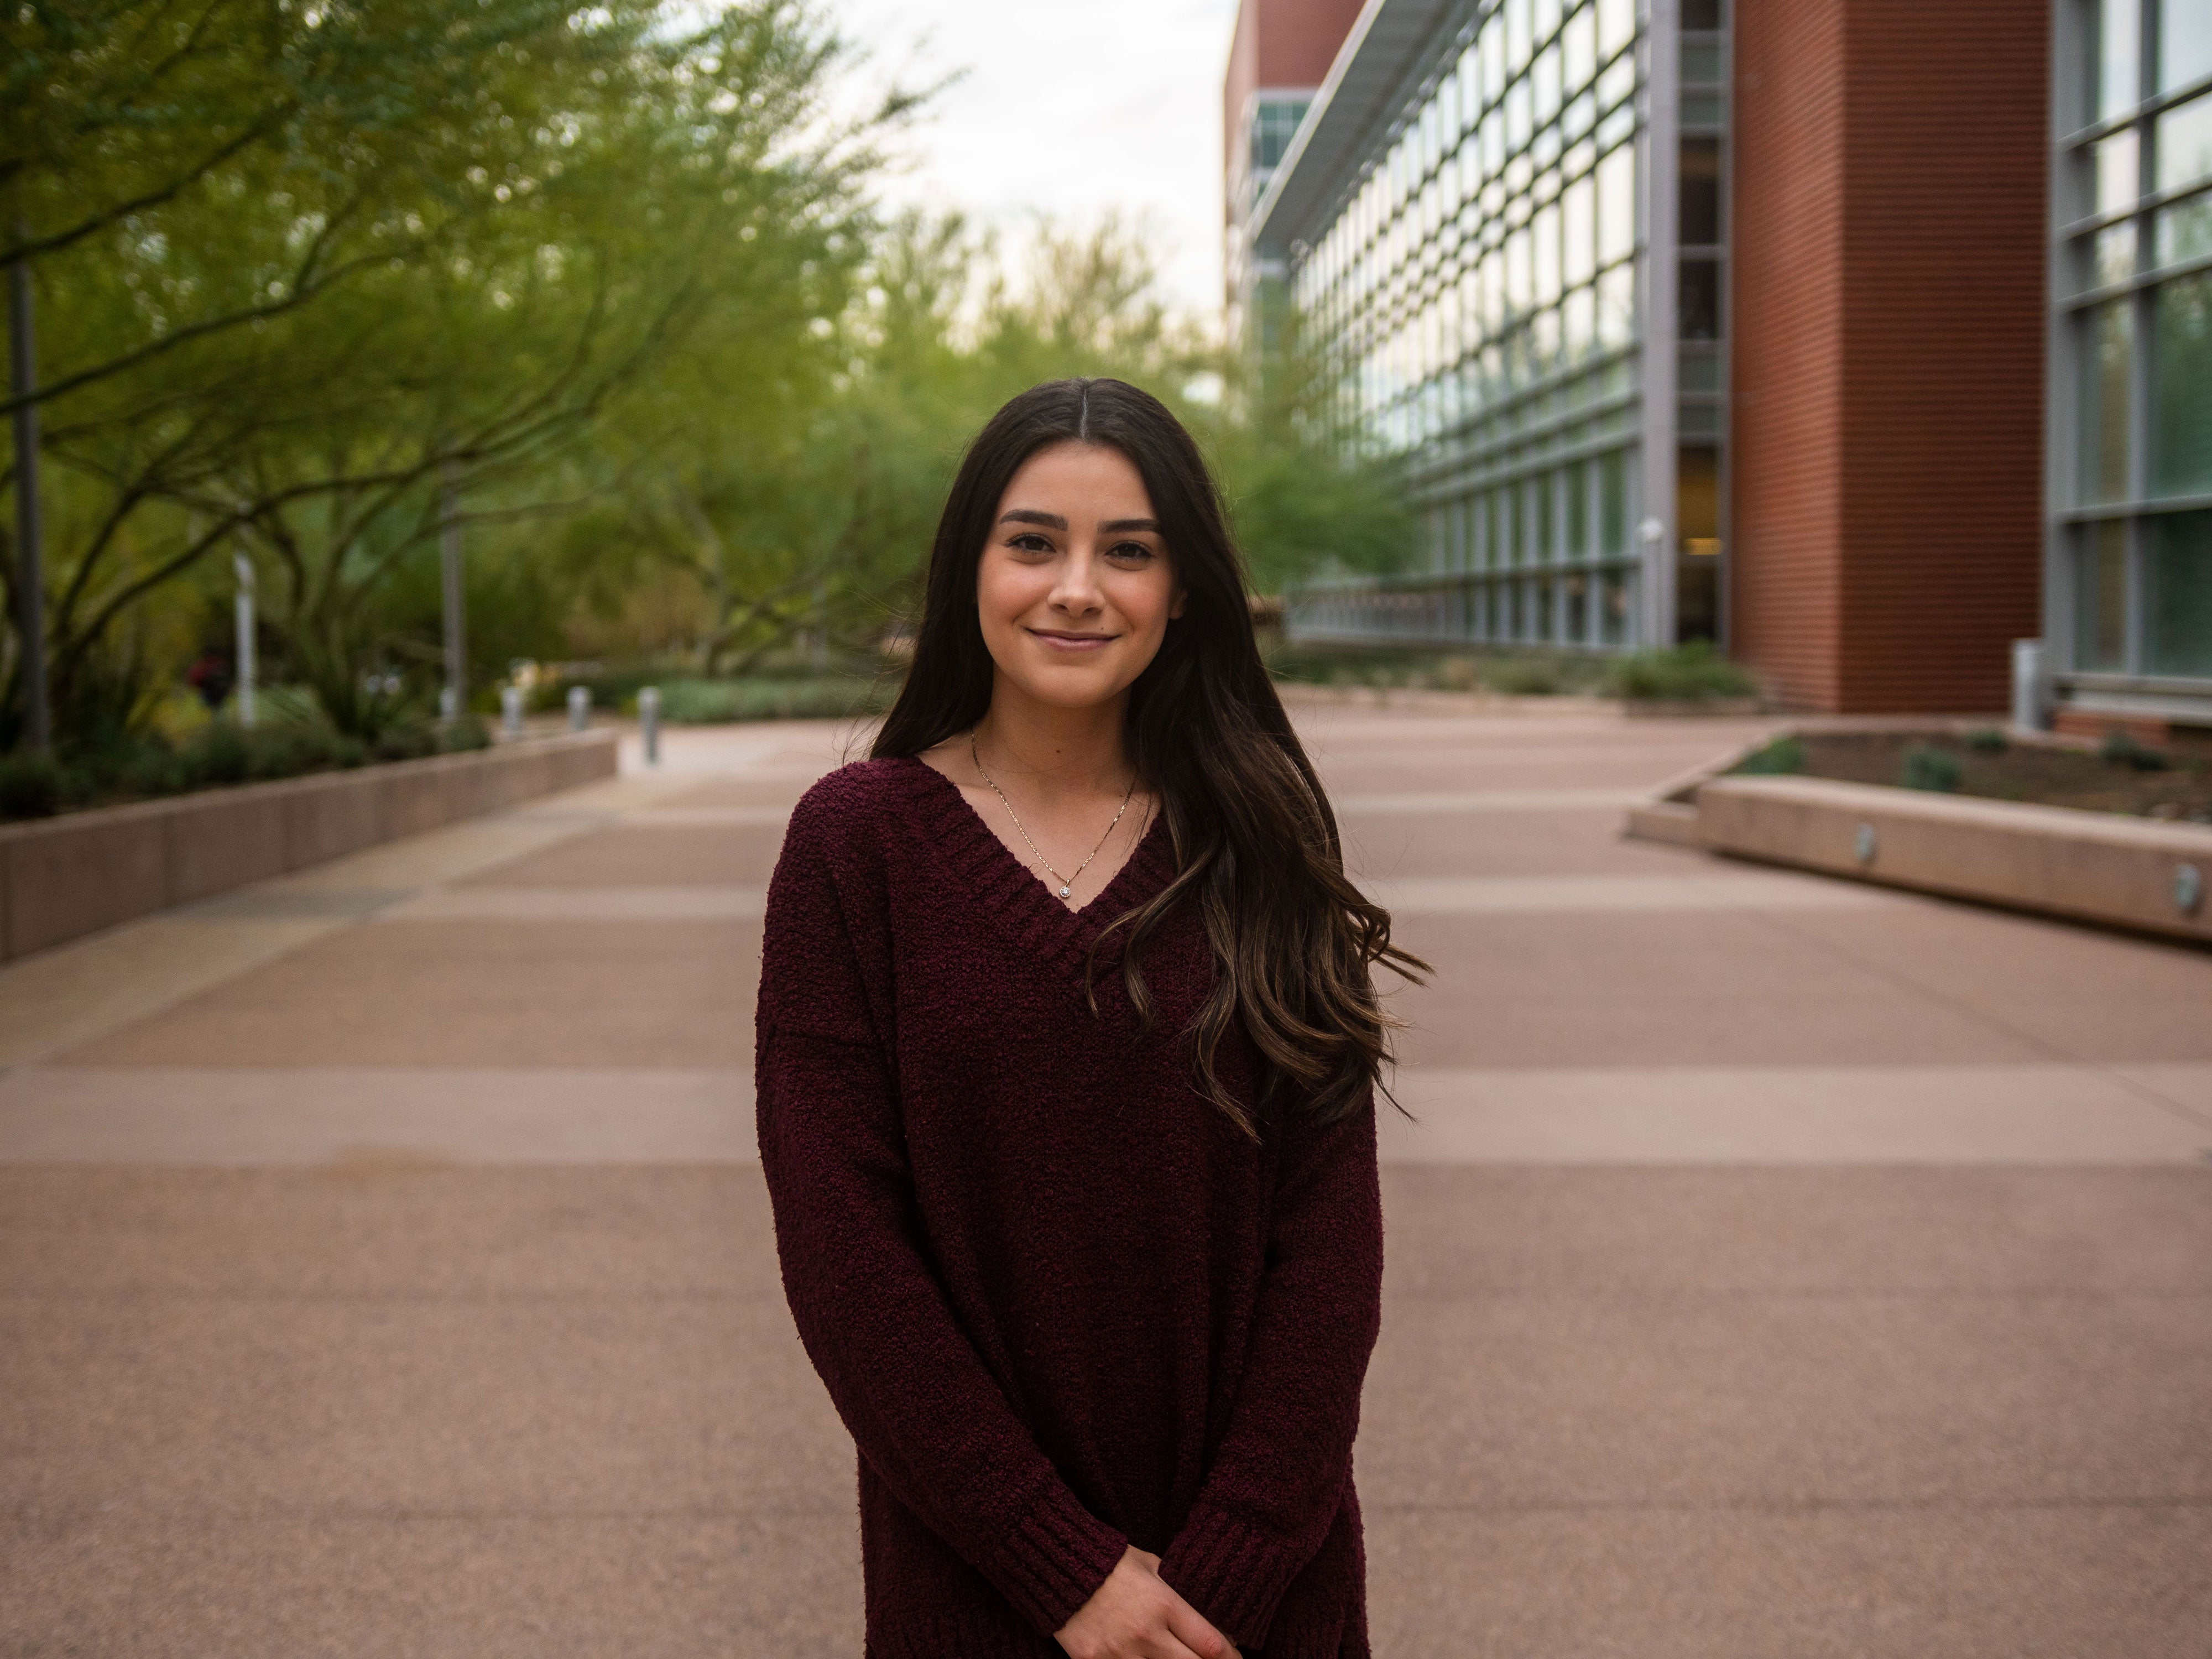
<point>2065,862</point>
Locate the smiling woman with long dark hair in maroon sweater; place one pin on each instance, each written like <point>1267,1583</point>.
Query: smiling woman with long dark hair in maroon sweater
<point>1067,1063</point>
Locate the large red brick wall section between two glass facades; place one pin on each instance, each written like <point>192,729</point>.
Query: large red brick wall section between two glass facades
<point>1888,348</point>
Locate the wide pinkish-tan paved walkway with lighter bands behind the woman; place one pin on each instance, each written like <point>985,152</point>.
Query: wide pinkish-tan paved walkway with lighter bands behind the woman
<point>1775,1269</point>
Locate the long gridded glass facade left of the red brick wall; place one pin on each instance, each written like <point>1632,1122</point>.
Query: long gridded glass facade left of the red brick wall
<point>1477,298</point>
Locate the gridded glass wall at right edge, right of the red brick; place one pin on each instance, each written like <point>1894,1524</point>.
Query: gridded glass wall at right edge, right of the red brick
<point>2133,397</point>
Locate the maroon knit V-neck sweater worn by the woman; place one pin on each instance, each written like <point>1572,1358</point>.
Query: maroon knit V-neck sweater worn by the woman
<point>1058,1300</point>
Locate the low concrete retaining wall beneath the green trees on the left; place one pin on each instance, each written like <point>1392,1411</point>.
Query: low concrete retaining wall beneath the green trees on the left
<point>87,870</point>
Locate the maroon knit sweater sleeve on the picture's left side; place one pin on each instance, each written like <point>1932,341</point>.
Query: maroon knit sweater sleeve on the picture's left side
<point>875,1319</point>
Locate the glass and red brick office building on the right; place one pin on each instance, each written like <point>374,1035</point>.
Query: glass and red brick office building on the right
<point>1726,320</point>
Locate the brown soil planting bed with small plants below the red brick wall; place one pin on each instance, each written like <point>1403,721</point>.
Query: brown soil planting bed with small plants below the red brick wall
<point>2125,775</point>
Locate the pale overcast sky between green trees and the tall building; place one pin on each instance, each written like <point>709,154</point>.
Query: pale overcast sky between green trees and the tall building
<point>1072,109</point>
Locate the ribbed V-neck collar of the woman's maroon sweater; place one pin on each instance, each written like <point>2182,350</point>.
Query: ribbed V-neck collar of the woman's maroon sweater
<point>1012,893</point>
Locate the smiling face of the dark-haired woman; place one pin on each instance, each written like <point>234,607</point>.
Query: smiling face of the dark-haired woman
<point>1076,587</point>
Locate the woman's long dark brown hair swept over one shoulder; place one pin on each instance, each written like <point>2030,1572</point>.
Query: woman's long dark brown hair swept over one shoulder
<point>1253,833</point>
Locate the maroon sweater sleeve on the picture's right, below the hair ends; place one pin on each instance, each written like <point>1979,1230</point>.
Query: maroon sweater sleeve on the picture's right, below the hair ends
<point>1286,1459</point>
